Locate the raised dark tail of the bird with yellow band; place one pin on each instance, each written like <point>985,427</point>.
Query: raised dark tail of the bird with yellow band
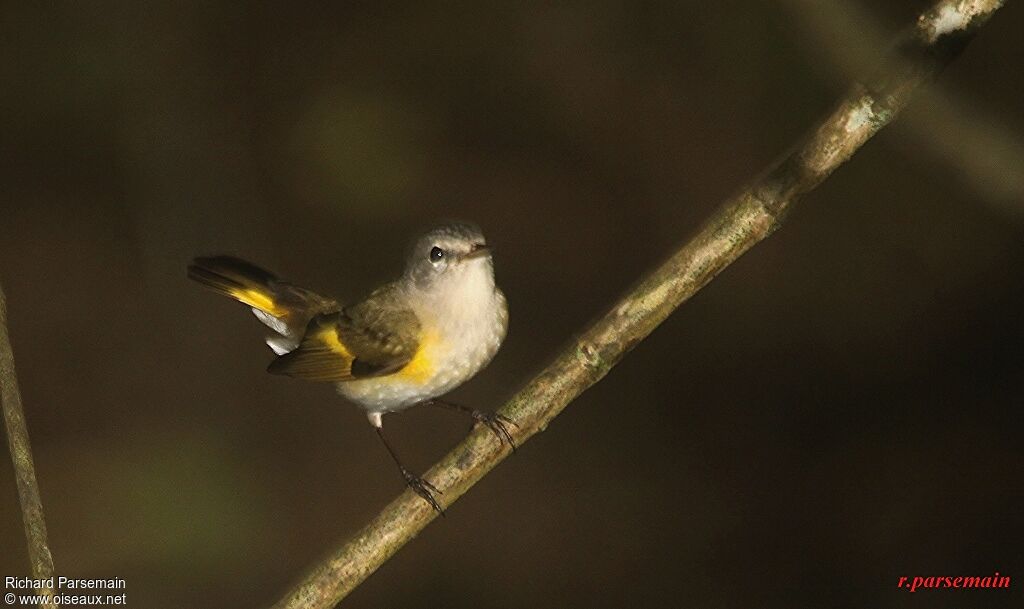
<point>283,308</point>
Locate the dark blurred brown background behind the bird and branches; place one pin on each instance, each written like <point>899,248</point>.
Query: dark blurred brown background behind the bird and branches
<point>840,409</point>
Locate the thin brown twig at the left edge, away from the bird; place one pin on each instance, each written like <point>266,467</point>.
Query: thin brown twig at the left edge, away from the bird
<point>21,456</point>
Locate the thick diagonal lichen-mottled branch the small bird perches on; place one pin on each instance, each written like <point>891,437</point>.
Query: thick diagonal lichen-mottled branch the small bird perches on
<point>936,39</point>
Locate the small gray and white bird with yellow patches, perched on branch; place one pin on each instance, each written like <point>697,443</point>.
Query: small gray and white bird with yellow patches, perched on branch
<point>408,343</point>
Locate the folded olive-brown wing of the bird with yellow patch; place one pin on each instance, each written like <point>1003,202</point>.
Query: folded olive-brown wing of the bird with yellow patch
<point>371,339</point>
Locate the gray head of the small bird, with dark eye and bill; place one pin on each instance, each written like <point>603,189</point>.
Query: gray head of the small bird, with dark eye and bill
<point>450,254</point>
